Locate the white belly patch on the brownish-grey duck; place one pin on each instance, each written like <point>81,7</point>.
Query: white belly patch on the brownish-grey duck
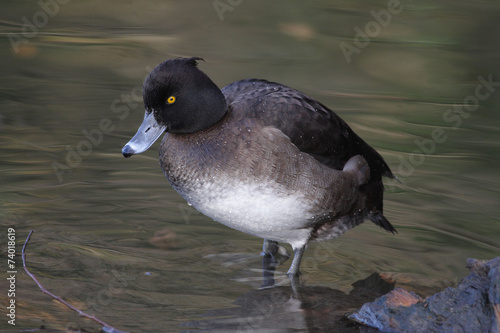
<point>263,210</point>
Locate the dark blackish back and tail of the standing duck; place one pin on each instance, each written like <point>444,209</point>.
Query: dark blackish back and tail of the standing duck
<point>314,129</point>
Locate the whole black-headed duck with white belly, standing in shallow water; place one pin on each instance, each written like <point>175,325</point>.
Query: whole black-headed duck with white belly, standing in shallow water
<point>260,157</point>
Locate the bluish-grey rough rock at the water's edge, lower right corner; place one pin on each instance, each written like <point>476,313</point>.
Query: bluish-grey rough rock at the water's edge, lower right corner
<point>473,306</point>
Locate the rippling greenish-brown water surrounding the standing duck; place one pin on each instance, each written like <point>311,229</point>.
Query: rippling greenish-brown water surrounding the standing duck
<point>114,239</point>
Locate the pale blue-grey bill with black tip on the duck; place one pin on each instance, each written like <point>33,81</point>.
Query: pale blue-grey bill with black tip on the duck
<point>146,135</point>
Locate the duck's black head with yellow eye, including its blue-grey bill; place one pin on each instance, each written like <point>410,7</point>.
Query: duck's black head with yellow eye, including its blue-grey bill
<point>178,98</point>
